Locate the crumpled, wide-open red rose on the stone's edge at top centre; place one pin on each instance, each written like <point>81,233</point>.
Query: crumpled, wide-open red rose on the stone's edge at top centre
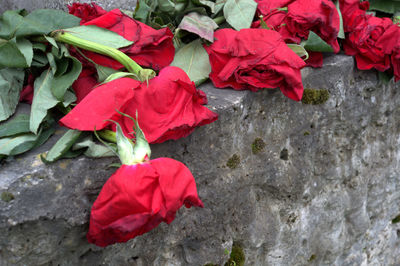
<point>255,59</point>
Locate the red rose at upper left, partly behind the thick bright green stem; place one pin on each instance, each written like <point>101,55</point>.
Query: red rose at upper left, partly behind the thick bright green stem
<point>151,48</point>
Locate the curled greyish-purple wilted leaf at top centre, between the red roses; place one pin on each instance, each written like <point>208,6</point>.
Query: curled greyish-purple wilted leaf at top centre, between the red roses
<point>201,25</point>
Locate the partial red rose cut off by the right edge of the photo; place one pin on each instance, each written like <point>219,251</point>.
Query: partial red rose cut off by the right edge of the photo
<point>389,42</point>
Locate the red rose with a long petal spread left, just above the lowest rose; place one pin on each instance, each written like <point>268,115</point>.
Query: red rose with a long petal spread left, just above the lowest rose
<point>170,107</point>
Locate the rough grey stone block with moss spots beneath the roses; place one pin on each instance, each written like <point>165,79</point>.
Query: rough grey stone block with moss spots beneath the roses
<point>323,191</point>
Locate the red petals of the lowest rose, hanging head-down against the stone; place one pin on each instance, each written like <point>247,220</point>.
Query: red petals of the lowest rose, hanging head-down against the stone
<point>137,198</point>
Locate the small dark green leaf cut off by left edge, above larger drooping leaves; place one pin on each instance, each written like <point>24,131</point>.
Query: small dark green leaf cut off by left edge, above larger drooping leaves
<point>11,55</point>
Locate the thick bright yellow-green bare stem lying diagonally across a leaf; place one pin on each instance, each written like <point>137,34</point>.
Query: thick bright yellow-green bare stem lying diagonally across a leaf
<point>125,60</point>
